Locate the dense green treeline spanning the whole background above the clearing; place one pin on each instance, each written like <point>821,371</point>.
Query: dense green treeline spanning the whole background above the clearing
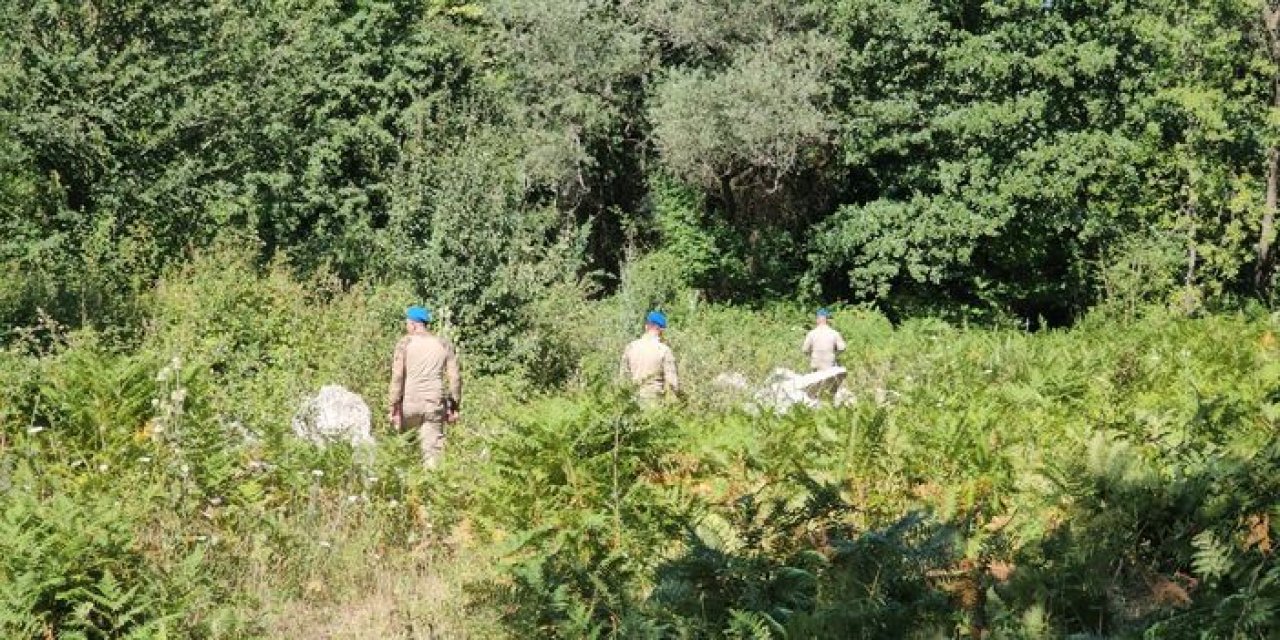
<point>1004,158</point>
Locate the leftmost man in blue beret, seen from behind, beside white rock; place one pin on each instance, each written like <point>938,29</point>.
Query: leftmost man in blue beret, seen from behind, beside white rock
<point>419,397</point>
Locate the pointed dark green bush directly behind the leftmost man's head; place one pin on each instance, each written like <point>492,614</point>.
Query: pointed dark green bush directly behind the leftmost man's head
<point>473,250</point>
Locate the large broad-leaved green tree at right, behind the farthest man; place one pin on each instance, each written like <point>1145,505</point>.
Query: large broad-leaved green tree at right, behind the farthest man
<point>1018,143</point>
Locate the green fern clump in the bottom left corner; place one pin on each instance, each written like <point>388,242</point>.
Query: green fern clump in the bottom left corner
<point>71,565</point>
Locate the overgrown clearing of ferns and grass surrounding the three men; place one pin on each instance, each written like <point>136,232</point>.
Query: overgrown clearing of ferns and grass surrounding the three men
<point>1110,481</point>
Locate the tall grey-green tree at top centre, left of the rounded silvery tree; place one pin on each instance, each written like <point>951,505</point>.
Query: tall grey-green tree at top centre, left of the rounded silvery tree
<point>575,74</point>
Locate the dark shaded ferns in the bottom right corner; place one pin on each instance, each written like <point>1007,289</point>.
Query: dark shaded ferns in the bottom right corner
<point>1177,548</point>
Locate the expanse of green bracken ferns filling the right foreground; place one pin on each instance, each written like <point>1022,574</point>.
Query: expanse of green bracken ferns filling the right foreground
<point>1108,482</point>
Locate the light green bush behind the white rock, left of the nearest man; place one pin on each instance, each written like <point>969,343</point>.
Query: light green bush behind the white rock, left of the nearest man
<point>268,340</point>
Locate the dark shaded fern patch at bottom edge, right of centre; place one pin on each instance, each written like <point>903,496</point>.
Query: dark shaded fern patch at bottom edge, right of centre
<point>790,565</point>
